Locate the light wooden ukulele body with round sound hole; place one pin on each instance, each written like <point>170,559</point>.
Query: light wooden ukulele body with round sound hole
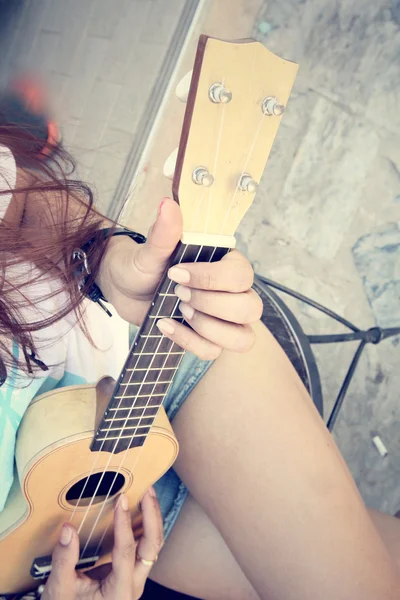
<point>52,454</point>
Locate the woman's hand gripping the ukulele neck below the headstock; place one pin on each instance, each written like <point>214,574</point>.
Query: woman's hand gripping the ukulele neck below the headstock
<point>216,298</point>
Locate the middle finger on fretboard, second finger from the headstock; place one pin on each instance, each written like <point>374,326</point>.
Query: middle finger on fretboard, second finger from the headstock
<point>244,308</point>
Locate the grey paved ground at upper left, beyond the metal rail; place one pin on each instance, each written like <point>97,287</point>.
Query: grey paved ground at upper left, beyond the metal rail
<point>100,59</point>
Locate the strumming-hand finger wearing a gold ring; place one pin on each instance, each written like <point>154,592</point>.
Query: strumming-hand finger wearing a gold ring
<point>152,540</point>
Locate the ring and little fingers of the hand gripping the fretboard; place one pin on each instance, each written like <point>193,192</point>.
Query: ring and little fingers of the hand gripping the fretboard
<point>208,334</point>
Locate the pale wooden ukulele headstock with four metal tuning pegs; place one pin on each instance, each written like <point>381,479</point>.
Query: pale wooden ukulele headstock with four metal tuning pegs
<point>238,92</point>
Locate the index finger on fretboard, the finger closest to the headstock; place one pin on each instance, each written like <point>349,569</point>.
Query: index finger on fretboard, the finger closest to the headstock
<point>231,274</point>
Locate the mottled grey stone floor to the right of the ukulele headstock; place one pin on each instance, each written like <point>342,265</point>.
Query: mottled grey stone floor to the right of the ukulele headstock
<point>326,220</point>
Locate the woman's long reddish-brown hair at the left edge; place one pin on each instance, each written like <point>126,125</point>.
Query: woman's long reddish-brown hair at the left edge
<point>57,216</point>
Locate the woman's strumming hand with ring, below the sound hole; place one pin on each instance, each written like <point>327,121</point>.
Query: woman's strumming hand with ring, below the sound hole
<point>128,575</point>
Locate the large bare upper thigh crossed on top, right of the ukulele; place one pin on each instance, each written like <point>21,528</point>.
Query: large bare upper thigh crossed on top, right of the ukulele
<point>258,459</point>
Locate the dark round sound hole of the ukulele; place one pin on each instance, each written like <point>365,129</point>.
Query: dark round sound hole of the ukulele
<point>98,485</point>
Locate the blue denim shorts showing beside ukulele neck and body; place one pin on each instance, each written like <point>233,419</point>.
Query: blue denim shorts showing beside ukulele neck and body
<point>171,491</point>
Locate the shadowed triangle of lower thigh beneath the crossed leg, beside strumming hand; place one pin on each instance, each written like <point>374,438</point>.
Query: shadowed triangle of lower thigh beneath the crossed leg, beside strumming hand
<point>196,561</point>
